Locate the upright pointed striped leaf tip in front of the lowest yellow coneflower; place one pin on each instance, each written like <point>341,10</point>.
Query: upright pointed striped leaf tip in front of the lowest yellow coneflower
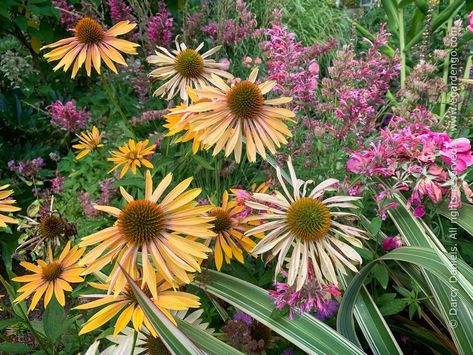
<point>173,338</point>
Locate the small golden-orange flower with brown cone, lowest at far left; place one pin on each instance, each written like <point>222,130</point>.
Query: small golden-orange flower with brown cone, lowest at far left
<point>51,278</point>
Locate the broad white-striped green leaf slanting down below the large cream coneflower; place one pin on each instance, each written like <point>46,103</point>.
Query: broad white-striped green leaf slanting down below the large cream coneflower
<point>306,332</point>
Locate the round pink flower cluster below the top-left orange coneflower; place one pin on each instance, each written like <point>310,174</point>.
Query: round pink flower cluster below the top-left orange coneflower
<point>67,116</point>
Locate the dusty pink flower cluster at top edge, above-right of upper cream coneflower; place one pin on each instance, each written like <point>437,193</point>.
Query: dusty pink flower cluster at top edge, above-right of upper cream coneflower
<point>233,31</point>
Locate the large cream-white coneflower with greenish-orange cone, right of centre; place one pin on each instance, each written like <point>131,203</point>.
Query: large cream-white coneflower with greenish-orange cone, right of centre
<point>305,227</point>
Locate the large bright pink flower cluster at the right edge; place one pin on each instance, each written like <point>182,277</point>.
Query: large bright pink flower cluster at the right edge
<point>426,162</point>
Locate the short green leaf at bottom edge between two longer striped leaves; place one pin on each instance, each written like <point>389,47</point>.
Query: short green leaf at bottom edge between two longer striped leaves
<point>206,341</point>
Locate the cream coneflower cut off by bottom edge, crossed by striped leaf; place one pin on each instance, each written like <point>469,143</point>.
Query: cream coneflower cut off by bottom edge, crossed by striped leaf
<point>146,343</point>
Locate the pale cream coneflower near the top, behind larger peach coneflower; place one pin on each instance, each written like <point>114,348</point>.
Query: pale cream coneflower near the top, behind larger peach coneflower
<point>184,67</point>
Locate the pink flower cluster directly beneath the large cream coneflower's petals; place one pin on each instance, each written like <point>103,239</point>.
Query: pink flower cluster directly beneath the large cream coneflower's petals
<point>313,297</point>
